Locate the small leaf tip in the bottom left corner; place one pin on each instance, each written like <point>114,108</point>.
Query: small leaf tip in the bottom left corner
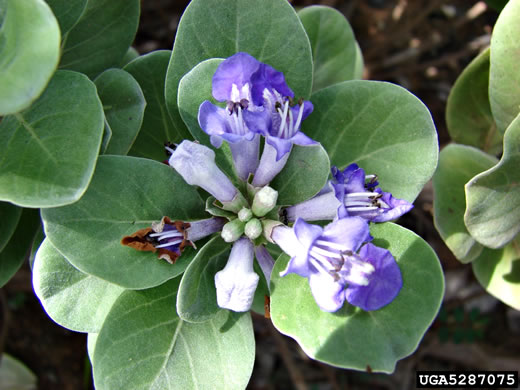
<point>14,375</point>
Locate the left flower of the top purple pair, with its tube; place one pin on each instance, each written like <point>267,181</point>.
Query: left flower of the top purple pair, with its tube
<point>232,84</point>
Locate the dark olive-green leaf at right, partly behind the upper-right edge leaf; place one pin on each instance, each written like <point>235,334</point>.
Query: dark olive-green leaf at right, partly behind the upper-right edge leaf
<point>468,113</point>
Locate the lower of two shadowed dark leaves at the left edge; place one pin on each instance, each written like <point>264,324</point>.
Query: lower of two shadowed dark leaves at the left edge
<point>16,250</point>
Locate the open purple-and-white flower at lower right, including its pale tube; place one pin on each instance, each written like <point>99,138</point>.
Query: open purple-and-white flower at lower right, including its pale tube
<point>328,257</point>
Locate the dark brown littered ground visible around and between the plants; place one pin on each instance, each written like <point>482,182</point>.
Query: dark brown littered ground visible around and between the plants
<point>422,45</point>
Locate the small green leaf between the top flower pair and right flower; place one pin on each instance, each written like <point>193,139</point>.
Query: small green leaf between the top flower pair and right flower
<point>304,175</point>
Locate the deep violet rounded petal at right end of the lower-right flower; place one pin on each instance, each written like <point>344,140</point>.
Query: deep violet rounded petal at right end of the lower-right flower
<point>385,282</point>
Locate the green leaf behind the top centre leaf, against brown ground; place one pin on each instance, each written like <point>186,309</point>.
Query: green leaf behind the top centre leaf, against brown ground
<point>334,47</point>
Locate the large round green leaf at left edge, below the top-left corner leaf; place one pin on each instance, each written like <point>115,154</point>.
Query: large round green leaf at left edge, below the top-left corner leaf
<point>49,151</point>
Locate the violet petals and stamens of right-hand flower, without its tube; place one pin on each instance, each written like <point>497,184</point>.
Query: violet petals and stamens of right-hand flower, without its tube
<point>358,196</point>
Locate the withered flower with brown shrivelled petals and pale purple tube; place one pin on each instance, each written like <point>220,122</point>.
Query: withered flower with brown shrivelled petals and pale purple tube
<point>169,238</point>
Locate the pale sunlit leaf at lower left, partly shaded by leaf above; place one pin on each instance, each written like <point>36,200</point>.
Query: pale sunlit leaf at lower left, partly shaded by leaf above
<point>73,299</point>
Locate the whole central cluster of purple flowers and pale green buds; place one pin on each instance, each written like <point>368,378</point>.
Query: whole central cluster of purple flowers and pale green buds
<point>338,260</point>
